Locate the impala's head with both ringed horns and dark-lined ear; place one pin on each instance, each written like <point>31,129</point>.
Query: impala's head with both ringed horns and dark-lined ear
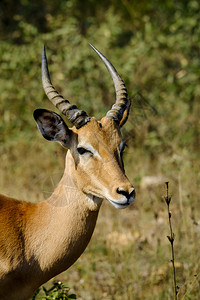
<point>95,147</point>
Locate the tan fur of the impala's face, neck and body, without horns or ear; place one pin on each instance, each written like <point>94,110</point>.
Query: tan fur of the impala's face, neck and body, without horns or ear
<point>40,240</point>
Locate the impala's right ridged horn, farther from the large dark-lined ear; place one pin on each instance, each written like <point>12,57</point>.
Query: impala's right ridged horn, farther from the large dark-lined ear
<point>122,102</point>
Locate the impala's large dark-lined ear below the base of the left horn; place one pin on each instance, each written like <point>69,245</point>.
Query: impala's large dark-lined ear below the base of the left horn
<point>52,127</point>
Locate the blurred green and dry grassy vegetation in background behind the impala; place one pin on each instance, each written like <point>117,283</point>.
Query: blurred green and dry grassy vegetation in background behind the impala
<point>155,47</point>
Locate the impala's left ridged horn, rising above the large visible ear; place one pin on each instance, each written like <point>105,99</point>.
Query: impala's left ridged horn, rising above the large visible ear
<point>76,116</point>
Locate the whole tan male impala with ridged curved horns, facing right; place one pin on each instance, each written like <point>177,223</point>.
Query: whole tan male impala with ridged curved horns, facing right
<point>40,240</point>
